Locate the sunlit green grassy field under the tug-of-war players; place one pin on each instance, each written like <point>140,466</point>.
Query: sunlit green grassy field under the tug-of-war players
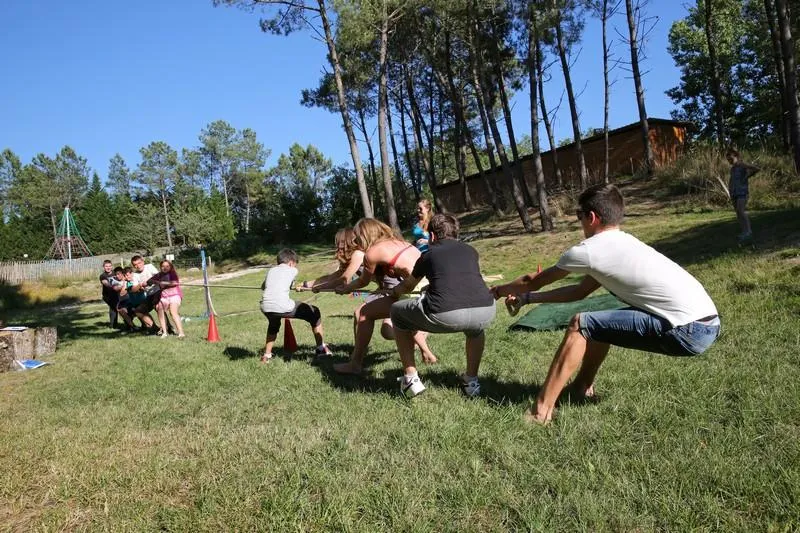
<point>142,433</point>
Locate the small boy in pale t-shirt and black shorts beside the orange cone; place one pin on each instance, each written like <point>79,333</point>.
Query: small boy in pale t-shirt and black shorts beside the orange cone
<point>277,305</point>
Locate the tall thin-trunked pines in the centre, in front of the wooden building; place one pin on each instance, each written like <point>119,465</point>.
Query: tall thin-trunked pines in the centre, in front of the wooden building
<point>445,72</point>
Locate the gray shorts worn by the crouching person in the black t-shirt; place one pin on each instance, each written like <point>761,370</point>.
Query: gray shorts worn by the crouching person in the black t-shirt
<point>411,316</point>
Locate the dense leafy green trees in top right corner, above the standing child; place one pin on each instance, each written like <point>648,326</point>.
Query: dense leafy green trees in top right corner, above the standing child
<point>738,81</point>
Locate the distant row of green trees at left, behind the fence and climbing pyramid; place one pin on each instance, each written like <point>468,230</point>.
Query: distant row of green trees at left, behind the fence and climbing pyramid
<point>205,194</point>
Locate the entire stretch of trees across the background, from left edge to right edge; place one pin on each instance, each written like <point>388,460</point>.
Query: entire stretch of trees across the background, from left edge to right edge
<point>423,90</point>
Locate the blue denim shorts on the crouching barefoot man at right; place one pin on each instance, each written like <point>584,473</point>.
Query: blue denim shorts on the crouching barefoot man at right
<point>640,330</point>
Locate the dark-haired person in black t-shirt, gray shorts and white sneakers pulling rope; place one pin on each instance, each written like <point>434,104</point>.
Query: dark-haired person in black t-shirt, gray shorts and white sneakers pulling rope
<point>456,300</point>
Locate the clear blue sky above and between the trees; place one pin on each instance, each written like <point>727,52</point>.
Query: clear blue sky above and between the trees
<point>107,77</point>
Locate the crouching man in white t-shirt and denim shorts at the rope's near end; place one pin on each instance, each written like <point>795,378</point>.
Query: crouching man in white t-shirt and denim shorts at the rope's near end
<point>670,311</point>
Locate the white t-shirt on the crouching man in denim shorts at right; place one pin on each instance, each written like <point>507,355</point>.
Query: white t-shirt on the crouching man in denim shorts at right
<point>640,276</point>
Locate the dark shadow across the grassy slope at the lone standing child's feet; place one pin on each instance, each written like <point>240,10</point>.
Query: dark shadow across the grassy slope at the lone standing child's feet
<point>772,230</point>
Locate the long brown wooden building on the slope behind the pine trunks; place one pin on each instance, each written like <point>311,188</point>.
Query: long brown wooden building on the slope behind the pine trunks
<point>626,153</point>
